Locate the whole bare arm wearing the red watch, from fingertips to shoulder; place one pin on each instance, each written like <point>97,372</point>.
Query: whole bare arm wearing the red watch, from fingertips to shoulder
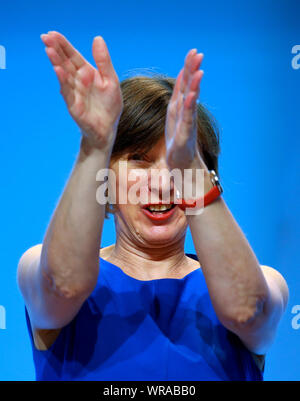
<point>248,299</point>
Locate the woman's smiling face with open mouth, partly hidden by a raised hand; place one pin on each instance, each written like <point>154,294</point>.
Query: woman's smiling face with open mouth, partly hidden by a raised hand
<point>138,182</point>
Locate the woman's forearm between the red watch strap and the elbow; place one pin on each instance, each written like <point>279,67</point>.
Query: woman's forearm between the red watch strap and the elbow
<point>232,272</point>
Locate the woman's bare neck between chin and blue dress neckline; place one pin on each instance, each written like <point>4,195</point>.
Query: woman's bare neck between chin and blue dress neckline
<point>149,263</point>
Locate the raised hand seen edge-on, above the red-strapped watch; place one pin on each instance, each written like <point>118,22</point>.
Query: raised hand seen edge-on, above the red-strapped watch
<point>181,122</point>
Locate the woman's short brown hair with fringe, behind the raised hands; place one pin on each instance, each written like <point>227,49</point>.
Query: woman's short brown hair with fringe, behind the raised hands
<point>142,122</point>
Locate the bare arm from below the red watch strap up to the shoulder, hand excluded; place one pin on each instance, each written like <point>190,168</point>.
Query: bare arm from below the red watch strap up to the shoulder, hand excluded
<point>249,299</point>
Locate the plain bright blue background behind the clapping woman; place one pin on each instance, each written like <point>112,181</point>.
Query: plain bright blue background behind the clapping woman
<point>249,85</point>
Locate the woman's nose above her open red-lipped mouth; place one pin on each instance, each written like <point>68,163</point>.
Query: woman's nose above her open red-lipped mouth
<point>160,183</point>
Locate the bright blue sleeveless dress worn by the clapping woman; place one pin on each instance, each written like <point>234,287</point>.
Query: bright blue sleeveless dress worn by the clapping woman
<point>128,329</point>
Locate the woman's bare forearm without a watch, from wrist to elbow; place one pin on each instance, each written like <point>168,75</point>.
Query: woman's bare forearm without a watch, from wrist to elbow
<point>70,253</point>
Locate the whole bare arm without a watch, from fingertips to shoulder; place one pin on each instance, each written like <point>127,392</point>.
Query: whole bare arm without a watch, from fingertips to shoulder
<point>57,276</point>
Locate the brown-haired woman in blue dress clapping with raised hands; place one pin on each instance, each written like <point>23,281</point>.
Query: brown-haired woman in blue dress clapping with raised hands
<point>151,312</point>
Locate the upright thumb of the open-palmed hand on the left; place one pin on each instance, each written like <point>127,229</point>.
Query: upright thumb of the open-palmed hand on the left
<point>102,58</point>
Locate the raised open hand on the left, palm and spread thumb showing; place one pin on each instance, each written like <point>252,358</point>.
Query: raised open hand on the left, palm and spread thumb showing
<point>93,96</point>
